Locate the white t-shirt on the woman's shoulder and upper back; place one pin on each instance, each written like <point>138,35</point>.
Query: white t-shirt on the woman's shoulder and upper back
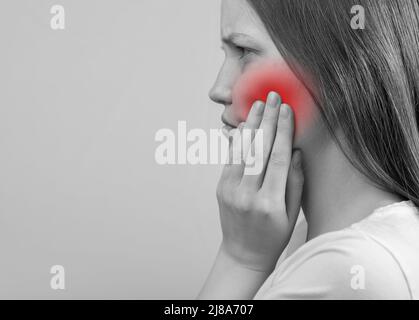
<point>376,258</point>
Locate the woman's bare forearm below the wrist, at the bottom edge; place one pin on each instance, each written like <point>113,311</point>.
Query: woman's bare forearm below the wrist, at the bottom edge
<point>229,280</point>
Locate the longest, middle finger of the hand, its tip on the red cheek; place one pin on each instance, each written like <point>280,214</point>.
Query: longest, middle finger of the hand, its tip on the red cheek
<point>268,128</point>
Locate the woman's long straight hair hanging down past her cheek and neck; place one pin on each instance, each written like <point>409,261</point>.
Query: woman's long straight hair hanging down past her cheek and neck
<point>367,80</point>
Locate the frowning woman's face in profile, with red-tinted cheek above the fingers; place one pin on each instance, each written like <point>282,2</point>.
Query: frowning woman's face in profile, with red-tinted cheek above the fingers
<point>252,68</point>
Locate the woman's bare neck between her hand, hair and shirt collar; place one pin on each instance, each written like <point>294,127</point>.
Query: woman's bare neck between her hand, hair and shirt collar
<point>335,194</point>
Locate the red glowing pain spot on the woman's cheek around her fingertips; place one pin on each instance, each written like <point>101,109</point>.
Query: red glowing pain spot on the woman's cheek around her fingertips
<point>258,81</point>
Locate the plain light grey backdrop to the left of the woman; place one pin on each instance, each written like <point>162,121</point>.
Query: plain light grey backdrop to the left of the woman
<point>79,186</point>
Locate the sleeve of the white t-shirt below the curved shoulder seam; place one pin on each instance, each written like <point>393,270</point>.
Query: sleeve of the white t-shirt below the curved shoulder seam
<point>343,266</point>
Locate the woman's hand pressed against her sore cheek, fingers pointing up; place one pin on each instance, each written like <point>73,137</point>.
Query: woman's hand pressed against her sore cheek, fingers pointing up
<point>258,212</point>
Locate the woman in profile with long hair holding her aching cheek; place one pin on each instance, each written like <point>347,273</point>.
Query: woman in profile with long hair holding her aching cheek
<point>352,165</point>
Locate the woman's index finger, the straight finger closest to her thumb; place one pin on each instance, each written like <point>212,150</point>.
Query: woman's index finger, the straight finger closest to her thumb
<point>275,179</point>
